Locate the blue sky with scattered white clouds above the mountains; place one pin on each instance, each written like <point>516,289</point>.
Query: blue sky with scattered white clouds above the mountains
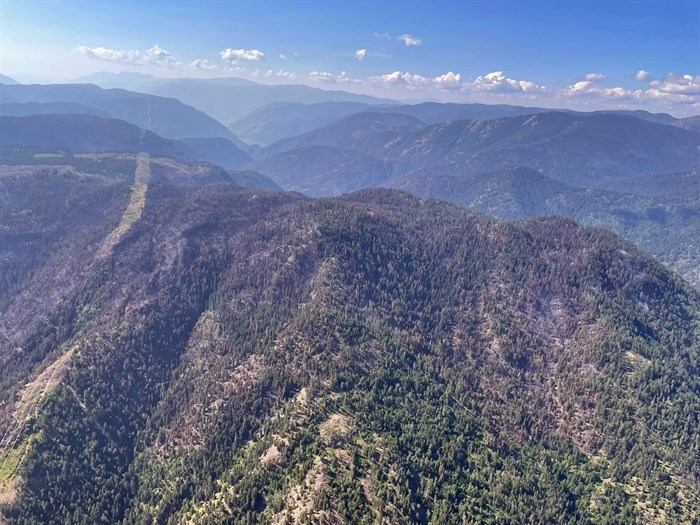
<point>589,54</point>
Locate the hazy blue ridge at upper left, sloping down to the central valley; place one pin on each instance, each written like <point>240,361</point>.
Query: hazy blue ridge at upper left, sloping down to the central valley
<point>167,117</point>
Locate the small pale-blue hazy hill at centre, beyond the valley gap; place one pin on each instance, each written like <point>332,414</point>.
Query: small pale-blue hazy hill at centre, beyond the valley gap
<point>284,120</point>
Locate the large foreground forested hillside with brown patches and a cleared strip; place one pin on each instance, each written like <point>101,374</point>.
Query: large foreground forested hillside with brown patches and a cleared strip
<point>221,355</point>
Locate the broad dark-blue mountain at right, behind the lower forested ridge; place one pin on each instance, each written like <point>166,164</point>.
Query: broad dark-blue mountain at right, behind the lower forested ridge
<point>581,151</point>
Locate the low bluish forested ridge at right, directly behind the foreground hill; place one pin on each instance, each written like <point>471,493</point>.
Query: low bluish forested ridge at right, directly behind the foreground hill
<point>658,213</point>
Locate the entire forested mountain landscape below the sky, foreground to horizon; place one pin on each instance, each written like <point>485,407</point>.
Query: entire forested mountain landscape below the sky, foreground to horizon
<point>198,330</point>
